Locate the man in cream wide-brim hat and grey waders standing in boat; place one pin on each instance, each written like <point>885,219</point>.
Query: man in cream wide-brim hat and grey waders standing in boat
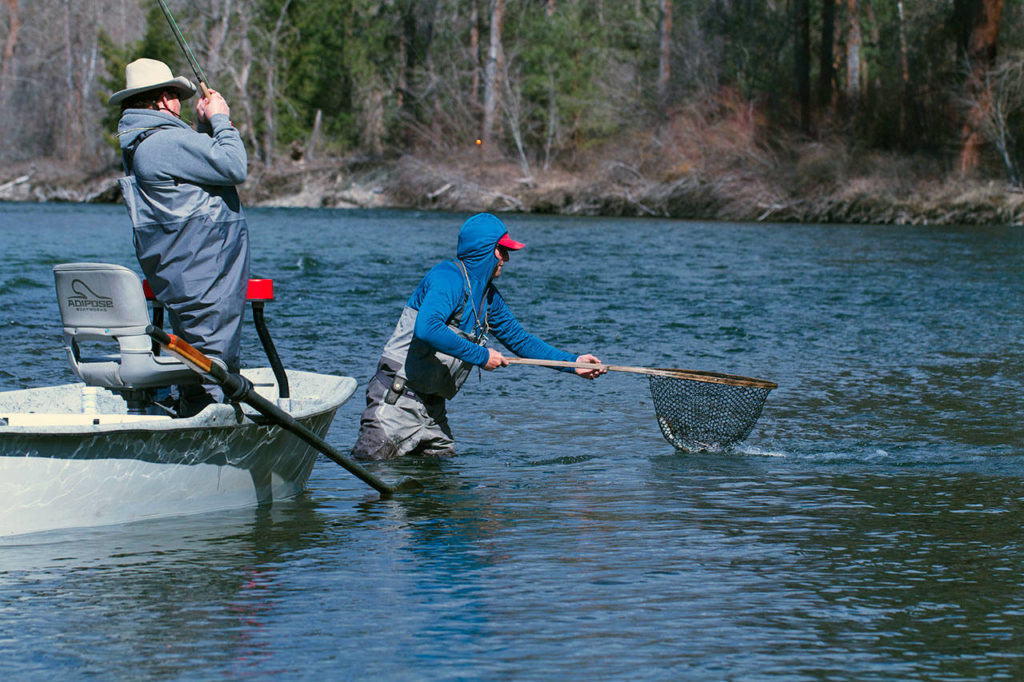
<point>191,234</point>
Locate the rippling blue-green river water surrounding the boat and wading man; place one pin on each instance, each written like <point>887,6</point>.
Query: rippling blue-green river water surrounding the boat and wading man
<point>870,528</point>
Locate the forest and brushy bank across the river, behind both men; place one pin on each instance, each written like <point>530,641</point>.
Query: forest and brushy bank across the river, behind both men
<point>878,111</point>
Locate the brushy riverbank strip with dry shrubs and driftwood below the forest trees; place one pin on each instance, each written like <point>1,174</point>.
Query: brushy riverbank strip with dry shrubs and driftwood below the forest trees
<point>810,187</point>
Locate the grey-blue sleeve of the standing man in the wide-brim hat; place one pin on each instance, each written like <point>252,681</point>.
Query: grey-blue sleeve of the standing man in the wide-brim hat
<point>218,159</point>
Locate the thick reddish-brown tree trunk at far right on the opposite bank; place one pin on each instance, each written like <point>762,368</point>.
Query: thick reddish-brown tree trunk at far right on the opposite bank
<point>978,22</point>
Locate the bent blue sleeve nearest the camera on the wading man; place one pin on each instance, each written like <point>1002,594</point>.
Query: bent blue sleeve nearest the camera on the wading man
<point>439,296</point>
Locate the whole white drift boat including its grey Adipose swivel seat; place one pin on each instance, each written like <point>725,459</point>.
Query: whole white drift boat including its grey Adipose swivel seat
<point>97,453</point>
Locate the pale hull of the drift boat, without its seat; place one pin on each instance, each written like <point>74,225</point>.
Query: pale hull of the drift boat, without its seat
<point>62,467</point>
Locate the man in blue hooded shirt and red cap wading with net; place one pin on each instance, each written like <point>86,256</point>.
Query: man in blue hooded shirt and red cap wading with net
<point>439,339</point>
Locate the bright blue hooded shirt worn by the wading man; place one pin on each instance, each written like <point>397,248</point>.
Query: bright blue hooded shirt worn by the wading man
<point>445,289</point>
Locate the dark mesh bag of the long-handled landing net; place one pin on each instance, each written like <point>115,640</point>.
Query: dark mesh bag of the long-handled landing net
<point>698,415</point>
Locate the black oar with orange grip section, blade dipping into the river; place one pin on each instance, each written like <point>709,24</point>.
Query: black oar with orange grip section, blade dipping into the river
<point>238,388</point>
